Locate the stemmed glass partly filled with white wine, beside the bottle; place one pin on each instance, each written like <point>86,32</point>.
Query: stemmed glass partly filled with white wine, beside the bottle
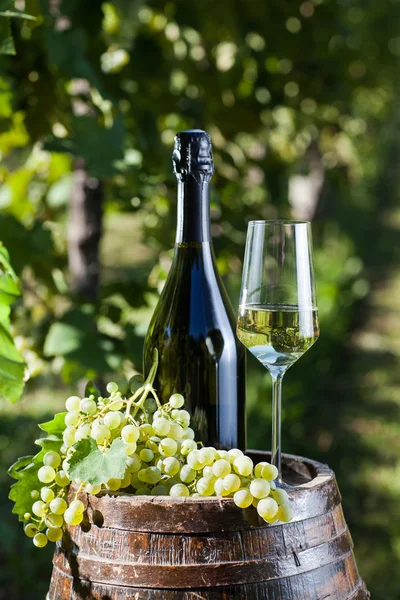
<point>278,315</point>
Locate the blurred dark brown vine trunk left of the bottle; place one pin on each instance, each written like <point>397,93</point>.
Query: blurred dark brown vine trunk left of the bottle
<point>84,233</point>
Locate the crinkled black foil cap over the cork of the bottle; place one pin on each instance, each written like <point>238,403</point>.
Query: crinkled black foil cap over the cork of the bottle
<point>192,156</point>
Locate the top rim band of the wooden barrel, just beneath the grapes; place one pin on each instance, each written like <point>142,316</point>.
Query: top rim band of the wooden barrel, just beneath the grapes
<point>314,494</point>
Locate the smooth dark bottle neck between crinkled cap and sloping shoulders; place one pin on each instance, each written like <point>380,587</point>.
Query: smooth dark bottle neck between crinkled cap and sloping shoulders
<point>193,212</point>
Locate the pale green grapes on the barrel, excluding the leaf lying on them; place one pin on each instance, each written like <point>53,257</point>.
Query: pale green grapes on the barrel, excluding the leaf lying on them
<point>162,458</point>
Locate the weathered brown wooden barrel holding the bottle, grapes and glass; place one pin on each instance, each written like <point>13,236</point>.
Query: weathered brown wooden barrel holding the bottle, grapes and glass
<point>142,548</point>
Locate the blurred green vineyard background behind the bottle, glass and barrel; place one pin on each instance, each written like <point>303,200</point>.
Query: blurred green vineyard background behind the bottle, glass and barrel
<point>302,102</point>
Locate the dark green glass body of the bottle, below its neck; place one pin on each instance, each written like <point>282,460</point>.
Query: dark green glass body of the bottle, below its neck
<point>193,329</point>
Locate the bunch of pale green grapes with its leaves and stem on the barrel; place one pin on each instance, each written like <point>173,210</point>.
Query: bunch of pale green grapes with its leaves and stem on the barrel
<point>136,444</point>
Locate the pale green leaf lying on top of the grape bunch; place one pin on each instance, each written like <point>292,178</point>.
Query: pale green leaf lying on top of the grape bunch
<point>91,465</point>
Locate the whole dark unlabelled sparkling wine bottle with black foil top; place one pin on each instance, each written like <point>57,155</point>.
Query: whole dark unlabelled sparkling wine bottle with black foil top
<point>193,326</point>
